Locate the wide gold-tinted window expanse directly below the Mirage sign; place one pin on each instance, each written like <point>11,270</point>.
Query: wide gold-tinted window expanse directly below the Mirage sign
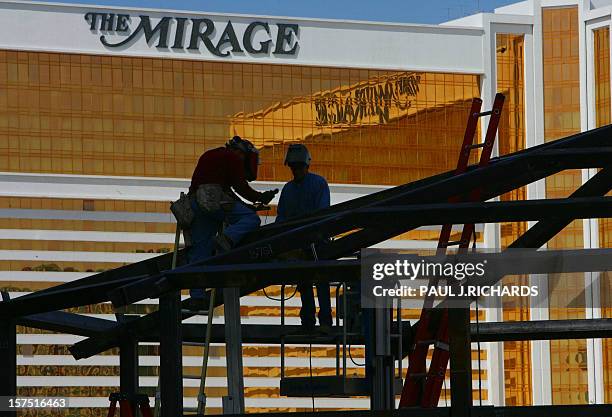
<point>78,114</point>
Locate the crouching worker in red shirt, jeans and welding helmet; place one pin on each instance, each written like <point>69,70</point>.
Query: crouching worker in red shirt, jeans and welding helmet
<point>219,173</point>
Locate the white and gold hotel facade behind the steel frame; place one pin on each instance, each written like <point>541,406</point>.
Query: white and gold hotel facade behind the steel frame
<point>104,112</point>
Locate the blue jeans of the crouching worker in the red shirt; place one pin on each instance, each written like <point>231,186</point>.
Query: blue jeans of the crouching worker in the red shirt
<point>205,226</point>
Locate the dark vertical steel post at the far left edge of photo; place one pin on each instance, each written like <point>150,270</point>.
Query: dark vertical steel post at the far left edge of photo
<point>8,356</point>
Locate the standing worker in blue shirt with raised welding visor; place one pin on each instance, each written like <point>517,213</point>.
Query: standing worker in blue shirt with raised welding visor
<point>306,193</point>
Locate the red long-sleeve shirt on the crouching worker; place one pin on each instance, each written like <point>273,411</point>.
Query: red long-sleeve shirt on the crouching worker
<point>222,166</point>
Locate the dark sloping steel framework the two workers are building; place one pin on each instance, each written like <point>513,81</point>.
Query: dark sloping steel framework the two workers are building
<point>261,260</point>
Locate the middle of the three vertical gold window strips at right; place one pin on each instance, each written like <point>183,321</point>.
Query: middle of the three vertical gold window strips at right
<point>562,118</point>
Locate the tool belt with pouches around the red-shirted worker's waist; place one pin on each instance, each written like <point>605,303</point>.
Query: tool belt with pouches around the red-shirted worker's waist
<point>209,198</point>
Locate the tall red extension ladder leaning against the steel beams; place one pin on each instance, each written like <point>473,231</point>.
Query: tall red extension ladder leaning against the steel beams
<point>422,388</point>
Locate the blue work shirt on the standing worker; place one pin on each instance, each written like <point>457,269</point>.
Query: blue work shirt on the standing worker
<point>304,197</point>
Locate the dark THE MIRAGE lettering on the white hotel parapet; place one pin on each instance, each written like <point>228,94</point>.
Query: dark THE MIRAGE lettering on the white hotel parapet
<point>190,34</point>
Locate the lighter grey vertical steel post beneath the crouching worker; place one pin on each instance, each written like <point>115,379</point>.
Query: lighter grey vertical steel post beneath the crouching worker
<point>234,402</point>
